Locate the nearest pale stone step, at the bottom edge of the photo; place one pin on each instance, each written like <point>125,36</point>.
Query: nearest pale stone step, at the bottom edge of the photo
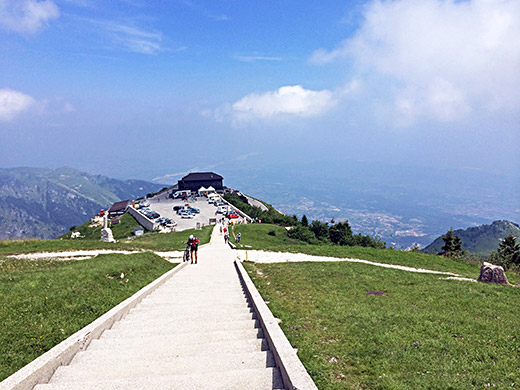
<point>246,379</point>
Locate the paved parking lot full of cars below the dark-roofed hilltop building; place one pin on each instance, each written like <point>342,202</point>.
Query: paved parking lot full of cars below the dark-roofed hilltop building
<point>164,206</point>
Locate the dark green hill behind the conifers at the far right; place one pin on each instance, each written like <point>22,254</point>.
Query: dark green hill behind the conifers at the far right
<point>481,240</point>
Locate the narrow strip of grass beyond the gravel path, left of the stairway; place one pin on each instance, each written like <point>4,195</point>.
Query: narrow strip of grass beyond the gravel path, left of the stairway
<point>150,241</point>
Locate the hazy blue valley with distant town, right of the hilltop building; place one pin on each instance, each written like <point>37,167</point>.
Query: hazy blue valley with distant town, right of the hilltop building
<point>402,205</point>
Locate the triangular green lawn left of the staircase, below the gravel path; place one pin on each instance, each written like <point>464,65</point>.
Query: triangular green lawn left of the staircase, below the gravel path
<point>44,302</point>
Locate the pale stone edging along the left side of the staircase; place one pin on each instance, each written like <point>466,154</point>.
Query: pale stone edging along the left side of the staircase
<point>42,368</point>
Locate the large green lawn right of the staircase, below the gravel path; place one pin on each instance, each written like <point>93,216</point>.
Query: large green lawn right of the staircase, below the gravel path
<point>422,333</point>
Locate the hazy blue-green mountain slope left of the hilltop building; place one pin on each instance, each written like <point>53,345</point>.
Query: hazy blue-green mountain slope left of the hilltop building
<point>44,203</point>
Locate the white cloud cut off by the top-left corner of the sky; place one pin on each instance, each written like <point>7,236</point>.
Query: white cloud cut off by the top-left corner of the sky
<point>27,16</point>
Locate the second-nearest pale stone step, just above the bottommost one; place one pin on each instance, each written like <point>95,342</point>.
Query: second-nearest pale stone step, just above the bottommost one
<point>94,366</point>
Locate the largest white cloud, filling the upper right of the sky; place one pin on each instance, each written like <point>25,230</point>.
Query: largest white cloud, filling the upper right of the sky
<point>446,57</point>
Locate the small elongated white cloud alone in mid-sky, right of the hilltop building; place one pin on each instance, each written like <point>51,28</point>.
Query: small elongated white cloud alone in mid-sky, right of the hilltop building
<point>286,101</point>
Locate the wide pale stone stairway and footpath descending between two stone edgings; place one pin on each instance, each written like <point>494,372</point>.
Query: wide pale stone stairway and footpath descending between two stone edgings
<point>195,331</point>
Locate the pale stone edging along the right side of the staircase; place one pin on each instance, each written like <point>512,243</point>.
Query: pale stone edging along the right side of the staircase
<point>294,374</point>
